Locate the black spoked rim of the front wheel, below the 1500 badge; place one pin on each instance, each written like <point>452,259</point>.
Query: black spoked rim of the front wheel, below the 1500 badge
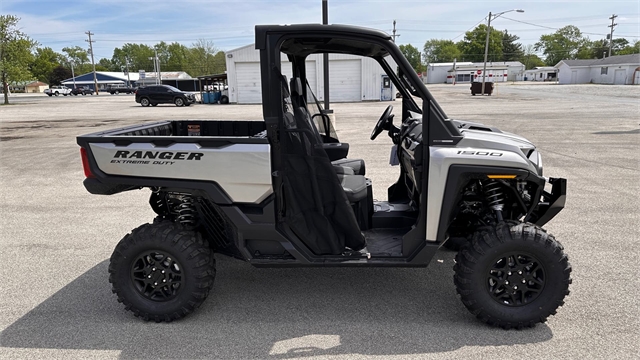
<point>515,279</point>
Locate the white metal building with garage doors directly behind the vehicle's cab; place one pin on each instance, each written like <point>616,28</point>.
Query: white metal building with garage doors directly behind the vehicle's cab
<point>351,78</point>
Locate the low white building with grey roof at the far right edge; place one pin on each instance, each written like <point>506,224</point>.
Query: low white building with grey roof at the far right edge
<point>615,70</point>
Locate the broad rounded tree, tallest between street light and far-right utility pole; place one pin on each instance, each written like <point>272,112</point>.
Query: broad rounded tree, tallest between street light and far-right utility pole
<point>566,43</point>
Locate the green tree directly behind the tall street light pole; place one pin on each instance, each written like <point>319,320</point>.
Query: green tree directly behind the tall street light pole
<point>474,43</point>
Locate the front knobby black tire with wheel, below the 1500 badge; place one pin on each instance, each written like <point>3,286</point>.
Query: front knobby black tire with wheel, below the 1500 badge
<point>513,275</point>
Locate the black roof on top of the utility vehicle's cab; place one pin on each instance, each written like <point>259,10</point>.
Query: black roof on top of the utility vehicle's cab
<point>318,38</point>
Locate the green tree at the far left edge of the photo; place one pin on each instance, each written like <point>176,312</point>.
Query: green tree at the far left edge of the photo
<point>15,53</point>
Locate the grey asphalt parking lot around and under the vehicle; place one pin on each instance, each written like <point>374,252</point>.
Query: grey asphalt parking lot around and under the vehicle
<point>56,240</point>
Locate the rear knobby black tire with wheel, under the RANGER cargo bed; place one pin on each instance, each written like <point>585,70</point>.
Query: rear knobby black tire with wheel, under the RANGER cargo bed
<point>161,271</point>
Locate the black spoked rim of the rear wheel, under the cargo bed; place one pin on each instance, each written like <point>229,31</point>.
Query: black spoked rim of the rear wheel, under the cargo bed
<point>156,275</point>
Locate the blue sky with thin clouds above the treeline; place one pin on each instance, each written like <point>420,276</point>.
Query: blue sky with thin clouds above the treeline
<point>229,24</point>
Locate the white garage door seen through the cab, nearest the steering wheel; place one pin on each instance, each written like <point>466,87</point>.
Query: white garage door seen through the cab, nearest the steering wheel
<point>345,82</point>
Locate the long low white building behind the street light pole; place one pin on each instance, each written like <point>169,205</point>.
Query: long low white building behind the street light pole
<point>439,73</point>
